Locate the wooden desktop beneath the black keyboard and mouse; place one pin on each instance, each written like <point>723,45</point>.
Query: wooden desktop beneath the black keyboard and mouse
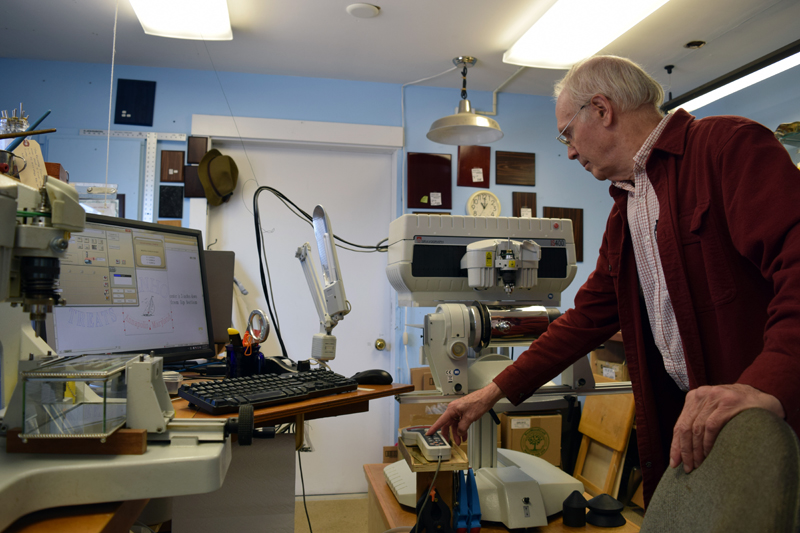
<point>334,405</point>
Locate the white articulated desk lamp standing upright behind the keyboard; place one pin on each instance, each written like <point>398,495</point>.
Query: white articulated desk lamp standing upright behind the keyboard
<point>330,300</point>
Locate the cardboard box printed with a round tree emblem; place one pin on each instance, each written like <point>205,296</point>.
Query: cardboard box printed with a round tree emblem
<point>537,434</point>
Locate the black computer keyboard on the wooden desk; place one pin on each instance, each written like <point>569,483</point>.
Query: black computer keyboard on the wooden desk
<point>225,396</point>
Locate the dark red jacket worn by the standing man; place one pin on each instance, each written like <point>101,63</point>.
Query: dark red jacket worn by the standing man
<point>729,240</point>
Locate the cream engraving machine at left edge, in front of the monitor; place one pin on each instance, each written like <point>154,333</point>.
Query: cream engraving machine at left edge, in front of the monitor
<point>184,456</point>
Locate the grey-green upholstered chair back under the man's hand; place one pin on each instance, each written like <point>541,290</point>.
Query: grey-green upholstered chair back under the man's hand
<point>750,482</point>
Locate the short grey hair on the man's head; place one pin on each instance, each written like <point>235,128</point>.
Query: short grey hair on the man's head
<point>621,80</point>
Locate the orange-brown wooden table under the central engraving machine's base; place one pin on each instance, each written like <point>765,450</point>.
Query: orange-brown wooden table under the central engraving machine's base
<point>386,513</point>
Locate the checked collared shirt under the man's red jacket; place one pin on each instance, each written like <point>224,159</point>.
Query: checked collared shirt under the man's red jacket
<point>643,211</point>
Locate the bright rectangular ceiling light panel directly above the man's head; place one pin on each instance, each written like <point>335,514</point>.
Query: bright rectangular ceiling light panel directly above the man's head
<point>572,30</point>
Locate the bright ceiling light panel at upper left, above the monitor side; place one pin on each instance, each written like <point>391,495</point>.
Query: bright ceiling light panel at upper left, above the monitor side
<point>205,20</point>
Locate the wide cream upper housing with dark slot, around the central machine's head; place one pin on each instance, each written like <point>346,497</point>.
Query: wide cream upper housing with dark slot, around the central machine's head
<point>425,254</point>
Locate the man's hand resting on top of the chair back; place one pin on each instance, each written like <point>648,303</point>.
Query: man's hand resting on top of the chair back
<point>705,412</point>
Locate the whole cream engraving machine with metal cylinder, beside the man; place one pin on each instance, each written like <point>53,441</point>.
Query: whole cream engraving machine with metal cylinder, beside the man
<point>494,283</point>
